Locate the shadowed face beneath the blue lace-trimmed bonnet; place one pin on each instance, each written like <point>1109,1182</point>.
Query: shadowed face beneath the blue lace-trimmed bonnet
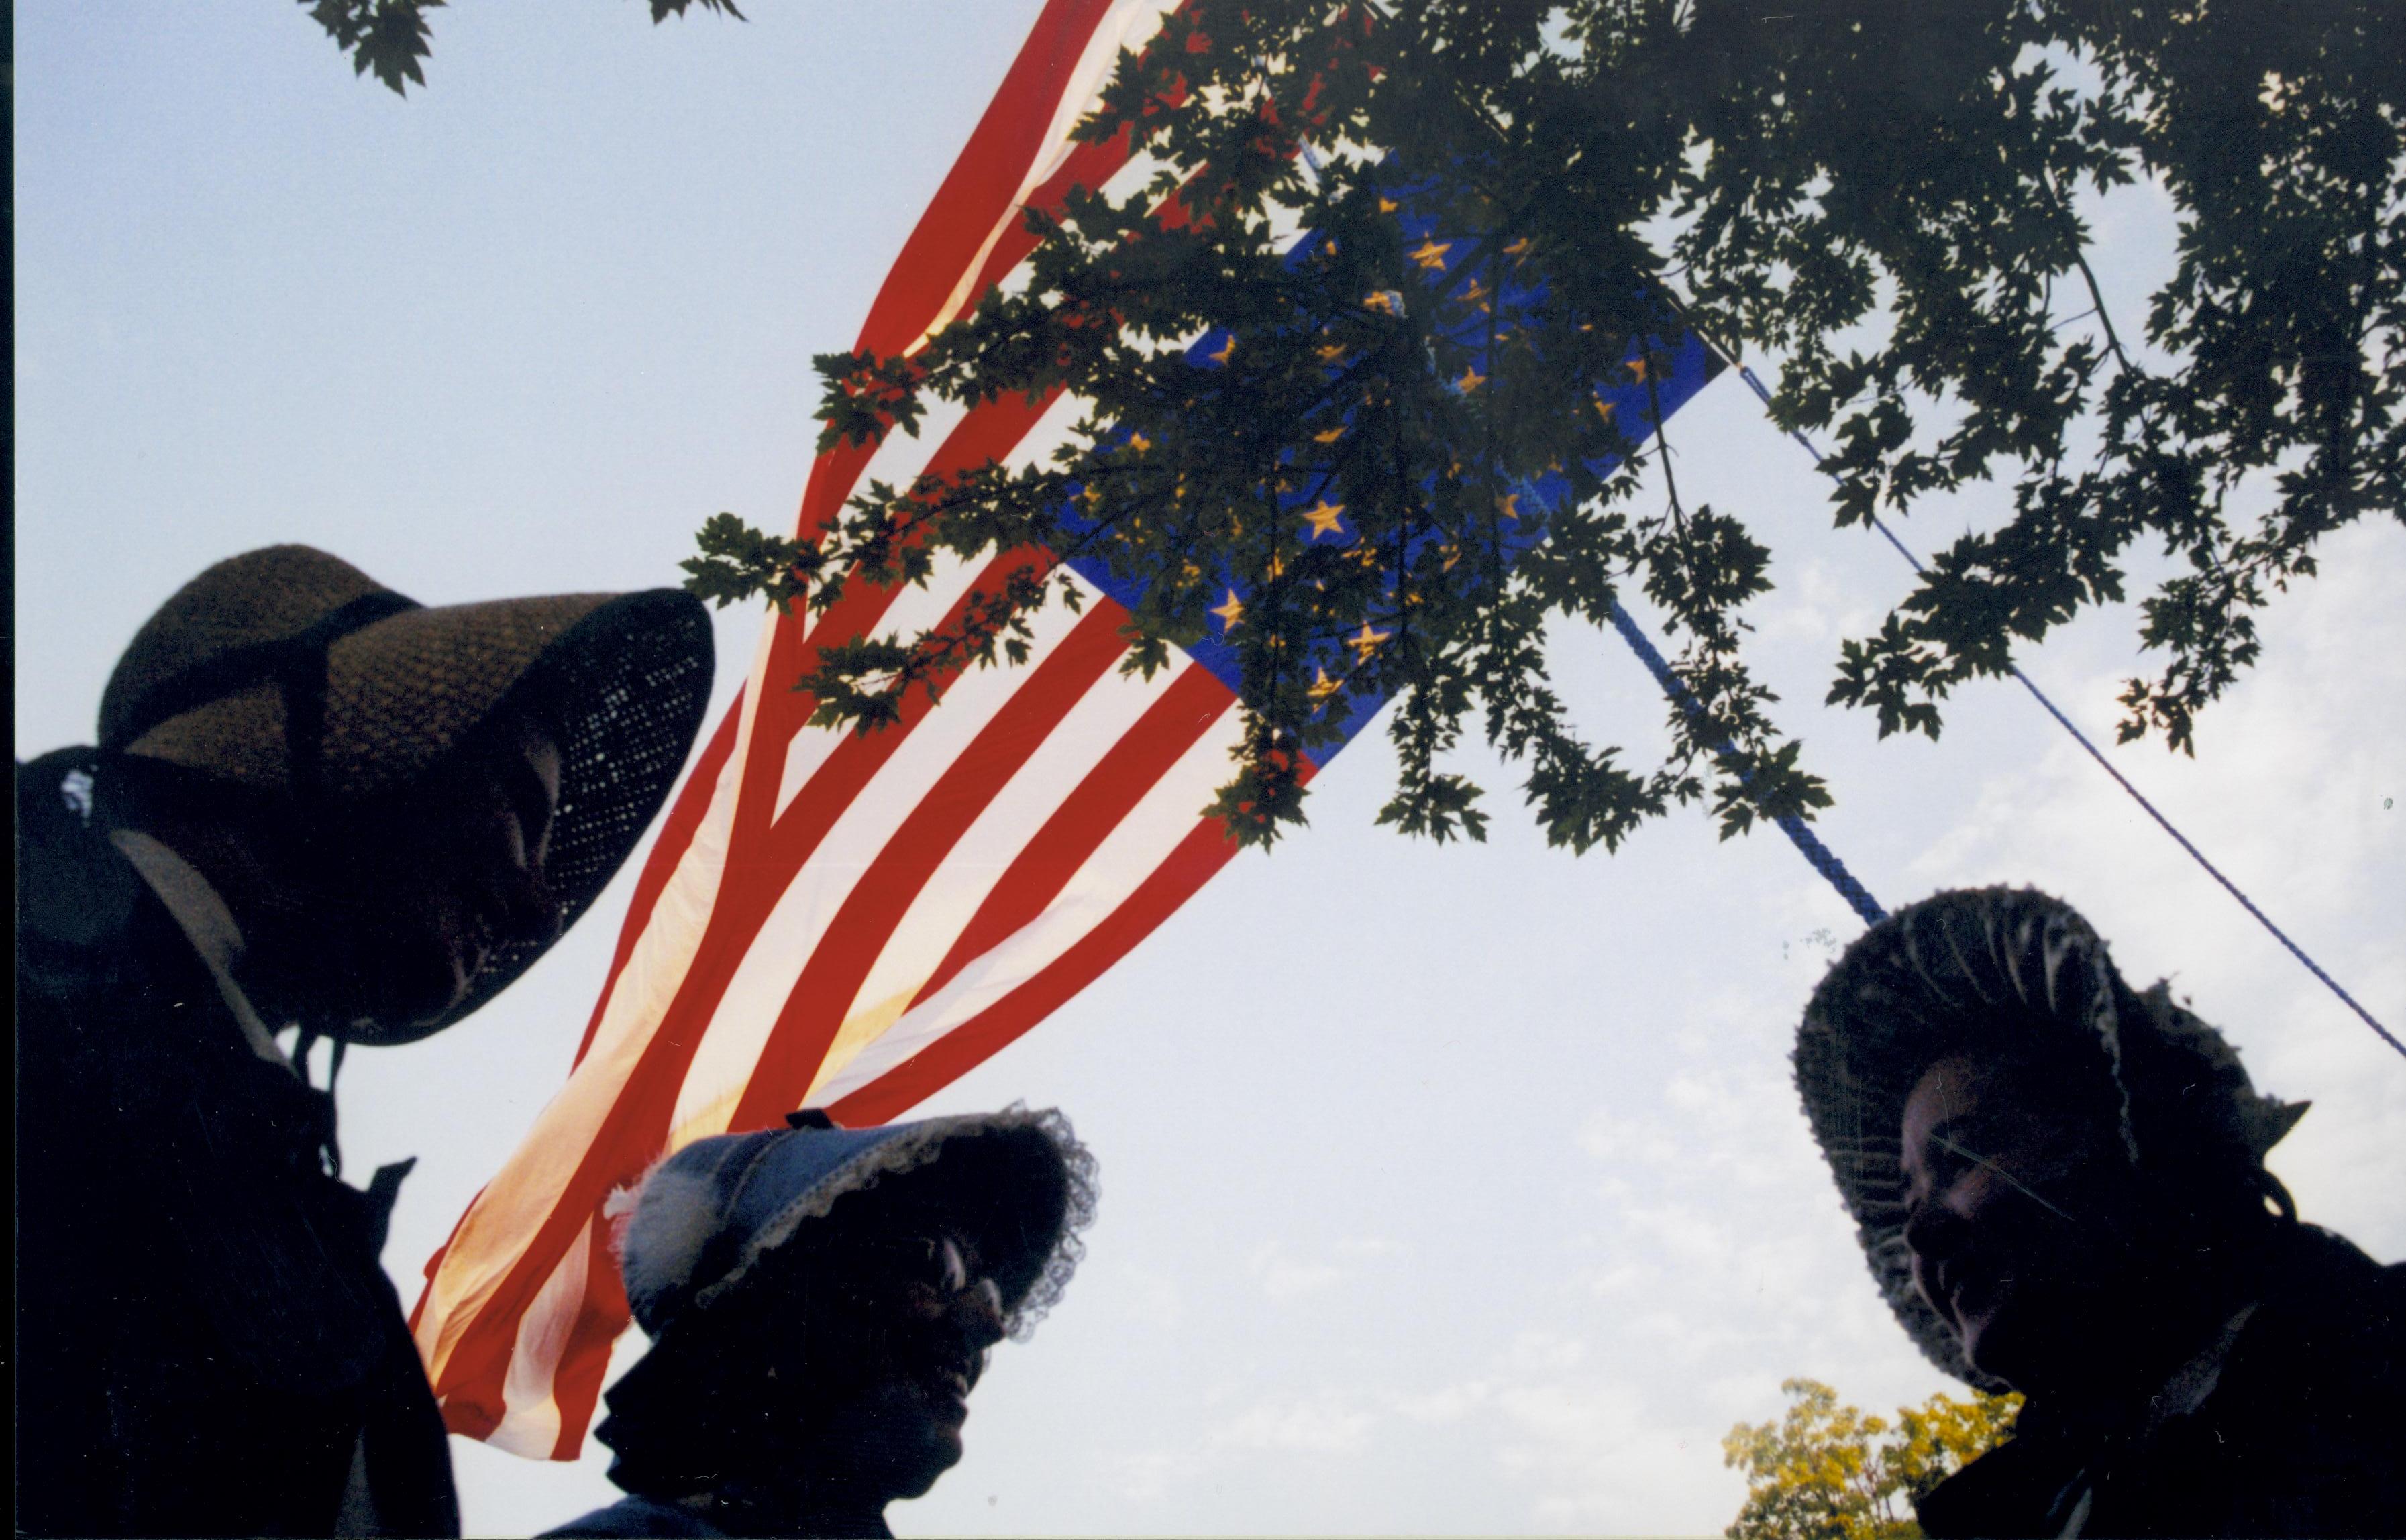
<point>896,1339</point>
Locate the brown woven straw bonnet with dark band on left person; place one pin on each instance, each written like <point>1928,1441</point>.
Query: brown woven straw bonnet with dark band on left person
<point>290,670</point>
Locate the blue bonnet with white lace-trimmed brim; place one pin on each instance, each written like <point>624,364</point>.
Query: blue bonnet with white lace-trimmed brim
<point>1017,1183</point>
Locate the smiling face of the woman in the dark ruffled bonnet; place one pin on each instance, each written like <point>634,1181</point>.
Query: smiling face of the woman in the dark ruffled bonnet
<point>2022,1219</point>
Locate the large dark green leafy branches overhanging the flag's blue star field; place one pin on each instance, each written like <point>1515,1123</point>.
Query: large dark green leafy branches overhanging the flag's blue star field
<point>1878,196</point>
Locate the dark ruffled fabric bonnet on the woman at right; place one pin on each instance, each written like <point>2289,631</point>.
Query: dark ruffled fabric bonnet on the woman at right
<point>1993,969</point>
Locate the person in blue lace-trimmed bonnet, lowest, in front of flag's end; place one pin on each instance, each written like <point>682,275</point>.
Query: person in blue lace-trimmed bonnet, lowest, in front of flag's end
<point>822,1303</point>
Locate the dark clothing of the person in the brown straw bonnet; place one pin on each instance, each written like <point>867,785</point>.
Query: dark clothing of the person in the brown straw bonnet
<point>208,1341</point>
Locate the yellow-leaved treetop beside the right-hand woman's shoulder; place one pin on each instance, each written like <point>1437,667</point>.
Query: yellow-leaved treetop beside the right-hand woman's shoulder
<point>1835,1474</point>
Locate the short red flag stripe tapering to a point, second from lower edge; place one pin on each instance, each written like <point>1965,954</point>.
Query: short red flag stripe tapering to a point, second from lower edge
<point>1089,815</point>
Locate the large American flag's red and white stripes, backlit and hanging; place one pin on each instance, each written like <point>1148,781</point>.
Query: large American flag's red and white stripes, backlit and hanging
<point>853,923</point>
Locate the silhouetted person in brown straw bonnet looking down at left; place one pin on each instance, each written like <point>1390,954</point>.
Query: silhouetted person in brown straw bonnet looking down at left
<point>328,810</point>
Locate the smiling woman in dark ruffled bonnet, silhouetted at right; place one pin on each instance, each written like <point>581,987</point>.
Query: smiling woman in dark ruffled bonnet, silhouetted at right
<point>2061,1187</point>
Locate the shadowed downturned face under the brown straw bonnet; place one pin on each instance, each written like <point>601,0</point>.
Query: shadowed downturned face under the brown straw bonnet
<point>396,904</point>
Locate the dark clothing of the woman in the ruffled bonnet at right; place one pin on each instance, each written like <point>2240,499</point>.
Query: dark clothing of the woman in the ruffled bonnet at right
<point>2299,1431</point>
